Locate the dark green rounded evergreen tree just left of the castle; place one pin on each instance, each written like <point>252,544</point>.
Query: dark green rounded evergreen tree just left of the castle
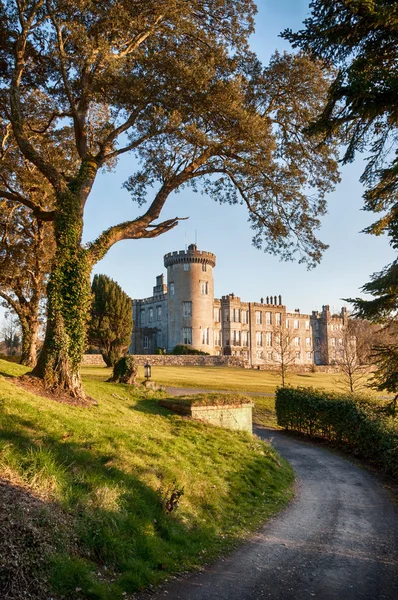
<point>111,319</point>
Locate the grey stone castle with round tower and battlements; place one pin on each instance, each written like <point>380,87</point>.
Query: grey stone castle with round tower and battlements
<point>185,312</point>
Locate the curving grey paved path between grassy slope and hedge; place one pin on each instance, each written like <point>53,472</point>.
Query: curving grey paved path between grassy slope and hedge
<point>338,540</point>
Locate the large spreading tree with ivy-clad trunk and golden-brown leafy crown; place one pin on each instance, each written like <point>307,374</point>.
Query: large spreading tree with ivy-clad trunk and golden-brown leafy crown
<point>174,83</point>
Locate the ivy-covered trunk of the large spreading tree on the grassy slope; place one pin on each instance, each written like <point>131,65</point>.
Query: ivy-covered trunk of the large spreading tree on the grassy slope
<point>69,300</point>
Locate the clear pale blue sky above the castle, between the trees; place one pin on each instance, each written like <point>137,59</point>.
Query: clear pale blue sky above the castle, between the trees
<point>241,269</point>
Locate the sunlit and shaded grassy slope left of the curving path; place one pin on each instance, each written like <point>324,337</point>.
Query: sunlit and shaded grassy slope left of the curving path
<point>111,468</point>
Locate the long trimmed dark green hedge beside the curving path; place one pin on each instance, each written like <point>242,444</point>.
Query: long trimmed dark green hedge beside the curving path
<point>356,424</point>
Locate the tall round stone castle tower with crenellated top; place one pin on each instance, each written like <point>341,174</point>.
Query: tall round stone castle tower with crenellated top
<point>190,288</point>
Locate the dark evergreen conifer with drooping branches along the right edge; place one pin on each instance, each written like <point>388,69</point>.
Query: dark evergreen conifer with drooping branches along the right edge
<point>359,38</point>
